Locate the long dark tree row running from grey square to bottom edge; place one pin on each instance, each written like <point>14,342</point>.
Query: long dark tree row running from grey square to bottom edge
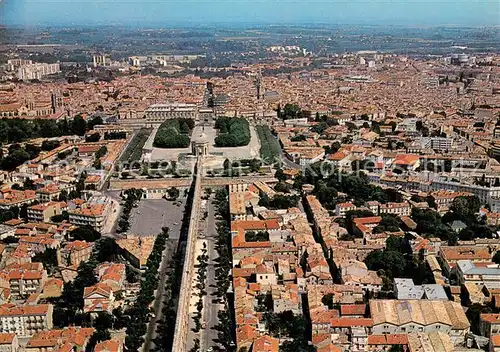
<point>139,312</point>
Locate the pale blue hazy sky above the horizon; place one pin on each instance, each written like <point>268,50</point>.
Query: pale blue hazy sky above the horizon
<point>178,12</point>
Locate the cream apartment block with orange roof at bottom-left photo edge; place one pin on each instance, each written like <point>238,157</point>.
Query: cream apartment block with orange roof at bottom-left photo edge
<point>25,321</point>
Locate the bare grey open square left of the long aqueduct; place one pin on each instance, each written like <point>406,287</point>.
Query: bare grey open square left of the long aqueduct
<point>153,214</point>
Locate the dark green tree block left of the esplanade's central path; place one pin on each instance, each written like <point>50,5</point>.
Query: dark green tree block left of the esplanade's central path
<point>174,133</point>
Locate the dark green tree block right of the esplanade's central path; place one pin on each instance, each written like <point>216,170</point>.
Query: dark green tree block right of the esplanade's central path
<point>233,132</point>
